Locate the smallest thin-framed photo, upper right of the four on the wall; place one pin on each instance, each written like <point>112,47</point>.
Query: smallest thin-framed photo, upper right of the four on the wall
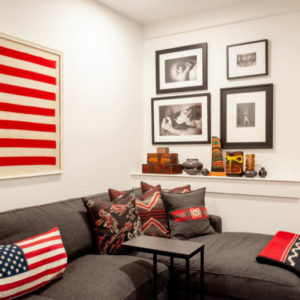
<point>247,59</point>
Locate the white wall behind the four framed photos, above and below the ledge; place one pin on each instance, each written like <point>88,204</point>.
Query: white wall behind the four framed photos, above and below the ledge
<point>246,213</point>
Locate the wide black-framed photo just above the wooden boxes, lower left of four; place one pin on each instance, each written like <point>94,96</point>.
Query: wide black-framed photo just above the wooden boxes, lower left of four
<point>181,119</point>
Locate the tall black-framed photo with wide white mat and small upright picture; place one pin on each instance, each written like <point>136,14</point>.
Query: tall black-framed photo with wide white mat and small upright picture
<point>247,117</point>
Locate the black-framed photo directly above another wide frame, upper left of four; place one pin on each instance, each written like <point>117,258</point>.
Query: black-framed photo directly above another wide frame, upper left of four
<point>181,69</point>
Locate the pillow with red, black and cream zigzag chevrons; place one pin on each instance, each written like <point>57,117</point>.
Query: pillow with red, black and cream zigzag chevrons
<point>153,214</point>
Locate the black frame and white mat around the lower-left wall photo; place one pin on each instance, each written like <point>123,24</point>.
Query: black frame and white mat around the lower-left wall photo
<point>180,102</point>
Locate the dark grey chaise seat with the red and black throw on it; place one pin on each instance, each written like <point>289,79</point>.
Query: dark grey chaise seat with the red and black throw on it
<point>231,269</point>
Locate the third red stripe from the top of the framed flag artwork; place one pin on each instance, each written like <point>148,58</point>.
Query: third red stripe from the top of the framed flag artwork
<point>27,92</point>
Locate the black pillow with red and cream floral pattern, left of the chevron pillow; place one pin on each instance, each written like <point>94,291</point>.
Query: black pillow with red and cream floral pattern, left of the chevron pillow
<point>114,222</point>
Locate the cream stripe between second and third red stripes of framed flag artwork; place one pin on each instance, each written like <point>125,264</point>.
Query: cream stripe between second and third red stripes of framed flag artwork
<point>27,83</point>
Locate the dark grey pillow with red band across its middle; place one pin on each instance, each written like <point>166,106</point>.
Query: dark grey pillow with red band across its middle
<point>187,214</point>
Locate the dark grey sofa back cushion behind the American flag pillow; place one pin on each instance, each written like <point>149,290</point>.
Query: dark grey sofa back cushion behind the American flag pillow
<point>70,216</point>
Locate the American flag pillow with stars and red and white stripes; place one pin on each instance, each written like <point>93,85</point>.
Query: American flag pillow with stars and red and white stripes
<point>30,264</point>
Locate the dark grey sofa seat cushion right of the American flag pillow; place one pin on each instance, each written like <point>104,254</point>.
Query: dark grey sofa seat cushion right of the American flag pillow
<point>102,277</point>
